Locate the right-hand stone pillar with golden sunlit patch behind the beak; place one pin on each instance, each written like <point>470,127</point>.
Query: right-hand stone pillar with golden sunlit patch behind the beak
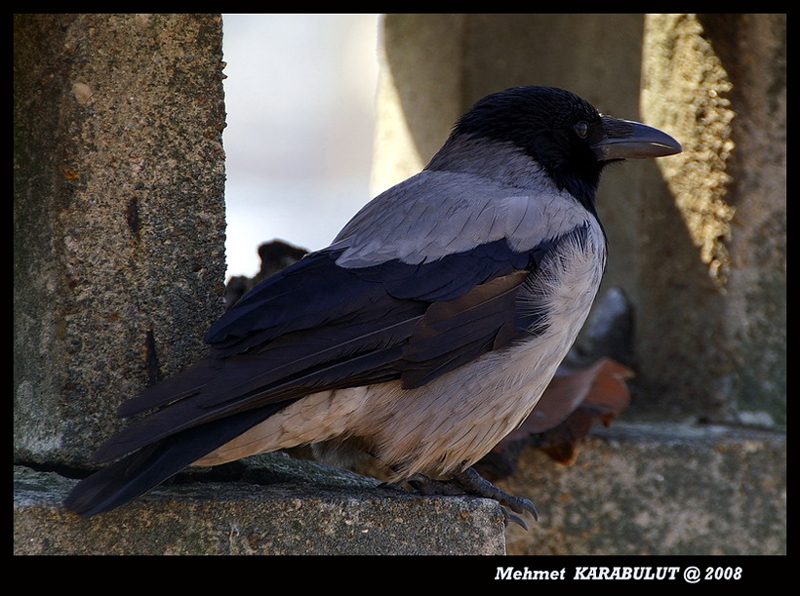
<point>712,337</point>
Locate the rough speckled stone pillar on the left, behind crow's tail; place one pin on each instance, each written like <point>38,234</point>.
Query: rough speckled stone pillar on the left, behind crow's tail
<point>118,216</point>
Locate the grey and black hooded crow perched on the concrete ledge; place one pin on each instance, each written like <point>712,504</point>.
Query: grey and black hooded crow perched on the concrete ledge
<point>422,335</point>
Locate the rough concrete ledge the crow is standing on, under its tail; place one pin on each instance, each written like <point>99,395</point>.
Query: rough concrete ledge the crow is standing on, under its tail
<point>238,518</point>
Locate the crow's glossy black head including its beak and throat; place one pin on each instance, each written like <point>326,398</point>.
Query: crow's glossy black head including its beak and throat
<point>564,133</point>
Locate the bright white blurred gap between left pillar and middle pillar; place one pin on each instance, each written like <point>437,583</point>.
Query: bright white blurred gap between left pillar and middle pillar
<point>299,96</point>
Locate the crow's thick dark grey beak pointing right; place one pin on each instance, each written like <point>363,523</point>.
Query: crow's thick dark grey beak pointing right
<point>631,140</point>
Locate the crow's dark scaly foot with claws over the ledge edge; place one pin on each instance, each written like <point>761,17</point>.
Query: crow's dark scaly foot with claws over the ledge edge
<point>469,482</point>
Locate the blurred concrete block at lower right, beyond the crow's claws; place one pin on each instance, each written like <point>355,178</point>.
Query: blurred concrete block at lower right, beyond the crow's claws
<point>660,489</point>
